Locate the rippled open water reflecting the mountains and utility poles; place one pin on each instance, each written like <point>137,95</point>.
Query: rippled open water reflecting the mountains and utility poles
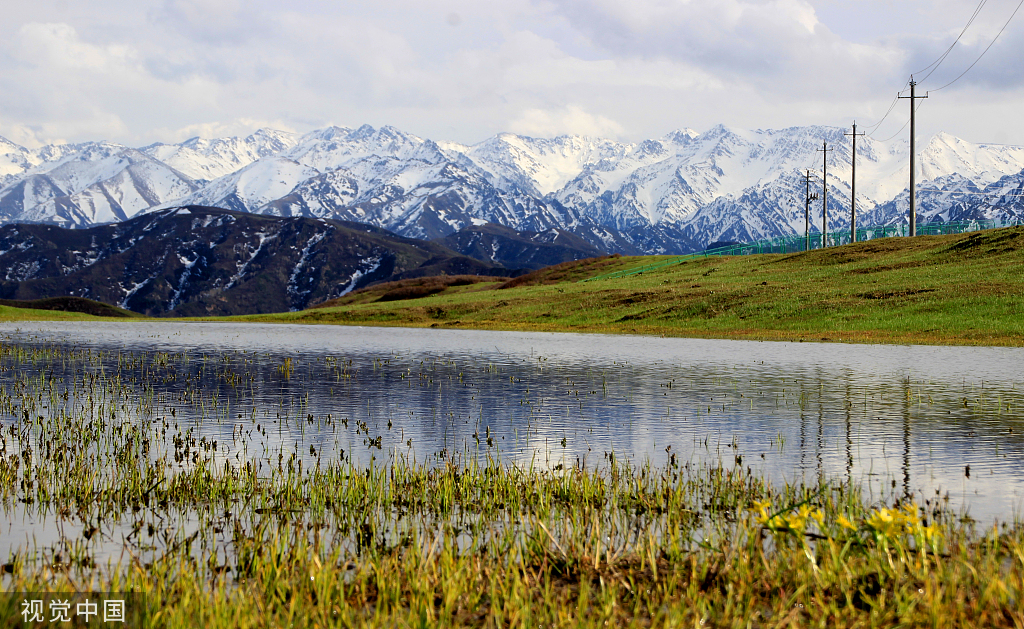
<point>909,420</point>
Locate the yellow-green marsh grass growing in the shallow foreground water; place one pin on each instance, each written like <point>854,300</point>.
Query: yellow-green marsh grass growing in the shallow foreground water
<point>141,505</point>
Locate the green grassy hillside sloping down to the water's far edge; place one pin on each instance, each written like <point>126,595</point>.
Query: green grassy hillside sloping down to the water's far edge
<point>963,289</point>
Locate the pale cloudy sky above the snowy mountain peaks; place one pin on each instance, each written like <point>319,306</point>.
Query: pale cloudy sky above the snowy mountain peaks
<point>144,71</point>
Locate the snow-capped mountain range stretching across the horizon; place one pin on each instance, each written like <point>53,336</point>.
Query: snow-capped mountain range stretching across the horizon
<point>675,194</point>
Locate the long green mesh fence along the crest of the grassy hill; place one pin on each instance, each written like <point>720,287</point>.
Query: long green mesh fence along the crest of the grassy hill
<point>796,244</point>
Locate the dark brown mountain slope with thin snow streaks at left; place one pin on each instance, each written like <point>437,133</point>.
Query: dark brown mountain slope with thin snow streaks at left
<point>208,262</point>
